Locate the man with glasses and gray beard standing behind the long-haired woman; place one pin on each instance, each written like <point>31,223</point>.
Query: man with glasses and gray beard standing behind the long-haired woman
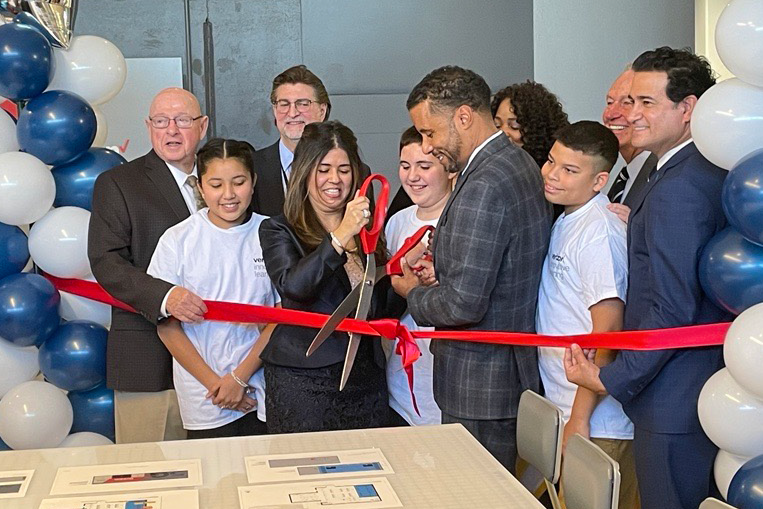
<point>298,98</point>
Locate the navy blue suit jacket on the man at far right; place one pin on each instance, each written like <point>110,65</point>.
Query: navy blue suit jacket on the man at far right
<point>677,213</point>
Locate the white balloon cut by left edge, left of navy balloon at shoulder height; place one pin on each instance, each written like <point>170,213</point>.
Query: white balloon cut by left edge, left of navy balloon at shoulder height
<point>28,189</point>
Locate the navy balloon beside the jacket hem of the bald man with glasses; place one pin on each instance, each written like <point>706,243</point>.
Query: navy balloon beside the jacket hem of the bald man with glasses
<point>74,357</point>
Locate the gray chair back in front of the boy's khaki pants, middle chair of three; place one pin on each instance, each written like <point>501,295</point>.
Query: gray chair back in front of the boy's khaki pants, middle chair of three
<point>590,478</point>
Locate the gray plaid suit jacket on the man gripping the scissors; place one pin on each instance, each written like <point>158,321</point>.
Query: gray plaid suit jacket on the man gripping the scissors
<point>488,253</point>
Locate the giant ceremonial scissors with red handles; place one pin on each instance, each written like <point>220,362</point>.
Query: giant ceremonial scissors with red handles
<point>359,299</point>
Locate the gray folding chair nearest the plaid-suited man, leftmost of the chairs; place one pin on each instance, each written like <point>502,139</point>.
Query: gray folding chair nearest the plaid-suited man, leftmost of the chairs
<point>539,438</point>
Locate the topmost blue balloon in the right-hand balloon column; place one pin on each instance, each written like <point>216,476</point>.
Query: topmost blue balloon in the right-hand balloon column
<point>743,197</point>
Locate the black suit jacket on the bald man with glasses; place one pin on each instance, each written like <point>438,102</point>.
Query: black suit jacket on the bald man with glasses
<point>133,205</point>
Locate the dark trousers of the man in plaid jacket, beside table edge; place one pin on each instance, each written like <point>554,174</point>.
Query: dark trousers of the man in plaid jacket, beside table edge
<point>498,436</point>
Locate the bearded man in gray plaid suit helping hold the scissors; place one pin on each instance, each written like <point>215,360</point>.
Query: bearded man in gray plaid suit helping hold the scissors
<point>488,252</point>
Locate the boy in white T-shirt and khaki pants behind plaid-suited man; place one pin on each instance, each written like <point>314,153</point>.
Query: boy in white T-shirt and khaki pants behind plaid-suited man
<point>583,285</point>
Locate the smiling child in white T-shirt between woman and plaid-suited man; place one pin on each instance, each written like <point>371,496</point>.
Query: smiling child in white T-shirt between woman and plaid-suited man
<point>428,184</point>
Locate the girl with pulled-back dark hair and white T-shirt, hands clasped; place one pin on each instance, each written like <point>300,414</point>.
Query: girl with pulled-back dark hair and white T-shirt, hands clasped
<point>216,254</point>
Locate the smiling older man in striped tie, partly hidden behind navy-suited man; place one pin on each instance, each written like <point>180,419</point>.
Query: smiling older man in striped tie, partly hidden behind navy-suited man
<point>627,181</point>
